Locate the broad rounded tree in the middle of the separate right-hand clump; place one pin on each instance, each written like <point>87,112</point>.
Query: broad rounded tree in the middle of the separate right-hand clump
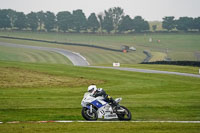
<point>184,23</point>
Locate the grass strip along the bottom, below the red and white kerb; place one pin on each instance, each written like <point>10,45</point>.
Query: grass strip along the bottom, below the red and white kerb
<point>100,127</point>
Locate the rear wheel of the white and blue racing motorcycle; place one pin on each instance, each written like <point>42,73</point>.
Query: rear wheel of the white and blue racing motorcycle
<point>124,116</point>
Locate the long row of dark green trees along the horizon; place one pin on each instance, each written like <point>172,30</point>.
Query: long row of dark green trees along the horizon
<point>111,20</point>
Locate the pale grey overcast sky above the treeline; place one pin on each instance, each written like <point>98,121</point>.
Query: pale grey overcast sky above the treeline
<point>149,9</point>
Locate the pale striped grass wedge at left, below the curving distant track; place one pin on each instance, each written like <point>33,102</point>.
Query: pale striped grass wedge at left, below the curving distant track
<point>30,55</point>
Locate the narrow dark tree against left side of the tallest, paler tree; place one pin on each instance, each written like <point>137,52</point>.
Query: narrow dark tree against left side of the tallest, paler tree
<point>107,23</point>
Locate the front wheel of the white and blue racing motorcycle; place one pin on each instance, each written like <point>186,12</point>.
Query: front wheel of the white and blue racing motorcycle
<point>89,116</point>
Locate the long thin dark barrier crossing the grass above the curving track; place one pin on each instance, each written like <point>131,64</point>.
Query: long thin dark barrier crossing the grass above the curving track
<point>64,43</point>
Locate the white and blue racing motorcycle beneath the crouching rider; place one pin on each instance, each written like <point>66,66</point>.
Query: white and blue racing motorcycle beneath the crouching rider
<point>94,108</point>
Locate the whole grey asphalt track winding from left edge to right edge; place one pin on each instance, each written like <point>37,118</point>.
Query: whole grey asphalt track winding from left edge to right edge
<point>78,60</point>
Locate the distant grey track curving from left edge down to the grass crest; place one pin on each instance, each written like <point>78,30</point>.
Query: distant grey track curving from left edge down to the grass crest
<point>75,58</point>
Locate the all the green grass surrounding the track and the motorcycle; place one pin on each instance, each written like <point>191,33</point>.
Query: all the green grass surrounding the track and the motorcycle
<point>33,87</point>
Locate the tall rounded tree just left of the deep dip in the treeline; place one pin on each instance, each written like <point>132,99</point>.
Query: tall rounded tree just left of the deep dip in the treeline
<point>79,20</point>
